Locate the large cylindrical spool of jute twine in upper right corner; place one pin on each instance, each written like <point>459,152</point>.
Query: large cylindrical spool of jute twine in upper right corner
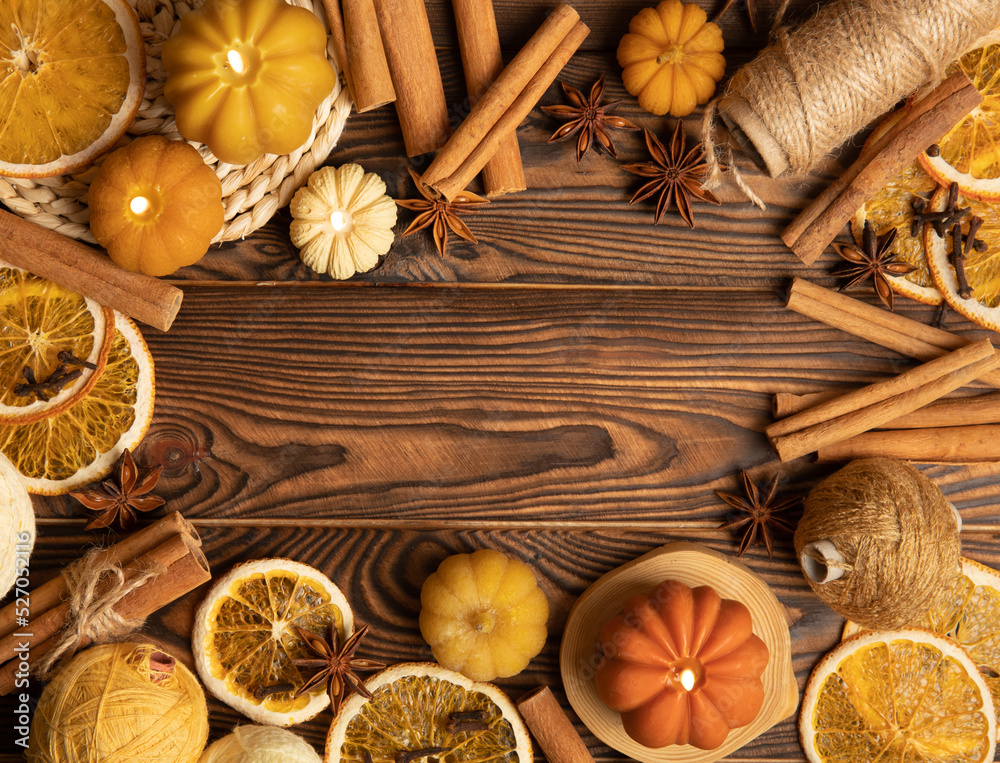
<point>817,86</point>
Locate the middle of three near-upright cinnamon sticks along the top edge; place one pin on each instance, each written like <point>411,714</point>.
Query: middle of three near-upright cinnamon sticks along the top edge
<point>416,78</point>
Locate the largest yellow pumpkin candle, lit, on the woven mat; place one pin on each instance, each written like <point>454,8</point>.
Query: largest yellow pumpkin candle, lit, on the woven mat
<point>245,77</point>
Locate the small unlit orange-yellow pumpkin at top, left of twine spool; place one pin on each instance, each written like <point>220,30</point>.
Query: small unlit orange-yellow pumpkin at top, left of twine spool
<point>671,58</point>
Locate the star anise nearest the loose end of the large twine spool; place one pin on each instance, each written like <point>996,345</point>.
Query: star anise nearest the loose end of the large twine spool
<point>677,175</point>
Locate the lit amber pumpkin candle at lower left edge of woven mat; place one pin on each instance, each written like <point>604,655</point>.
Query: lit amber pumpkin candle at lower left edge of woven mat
<point>155,206</point>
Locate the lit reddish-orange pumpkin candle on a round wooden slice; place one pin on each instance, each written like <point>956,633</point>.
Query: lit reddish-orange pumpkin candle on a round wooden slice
<point>682,666</point>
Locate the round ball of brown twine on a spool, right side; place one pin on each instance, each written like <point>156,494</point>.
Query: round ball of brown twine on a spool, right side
<point>878,542</point>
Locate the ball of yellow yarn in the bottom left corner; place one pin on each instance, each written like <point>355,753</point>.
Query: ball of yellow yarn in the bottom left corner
<point>114,704</point>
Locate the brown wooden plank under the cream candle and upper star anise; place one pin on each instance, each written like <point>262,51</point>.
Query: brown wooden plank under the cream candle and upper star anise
<point>573,225</point>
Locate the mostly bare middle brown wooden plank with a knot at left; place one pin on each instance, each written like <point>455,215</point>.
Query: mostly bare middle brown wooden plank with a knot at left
<point>444,404</point>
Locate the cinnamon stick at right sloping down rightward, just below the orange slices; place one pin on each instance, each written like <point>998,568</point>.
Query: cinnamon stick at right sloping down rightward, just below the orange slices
<point>875,324</point>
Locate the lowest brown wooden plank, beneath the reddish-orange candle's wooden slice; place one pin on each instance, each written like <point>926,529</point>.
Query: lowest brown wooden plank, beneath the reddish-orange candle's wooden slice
<point>381,572</point>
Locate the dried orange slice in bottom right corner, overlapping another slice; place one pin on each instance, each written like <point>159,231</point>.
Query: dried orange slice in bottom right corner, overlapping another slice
<point>888,696</point>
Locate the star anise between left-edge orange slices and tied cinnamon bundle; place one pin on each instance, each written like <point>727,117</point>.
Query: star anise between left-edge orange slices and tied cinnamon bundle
<point>119,496</point>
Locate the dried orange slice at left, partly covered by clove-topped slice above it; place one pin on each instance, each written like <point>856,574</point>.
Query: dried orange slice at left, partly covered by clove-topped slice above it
<point>80,445</point>
